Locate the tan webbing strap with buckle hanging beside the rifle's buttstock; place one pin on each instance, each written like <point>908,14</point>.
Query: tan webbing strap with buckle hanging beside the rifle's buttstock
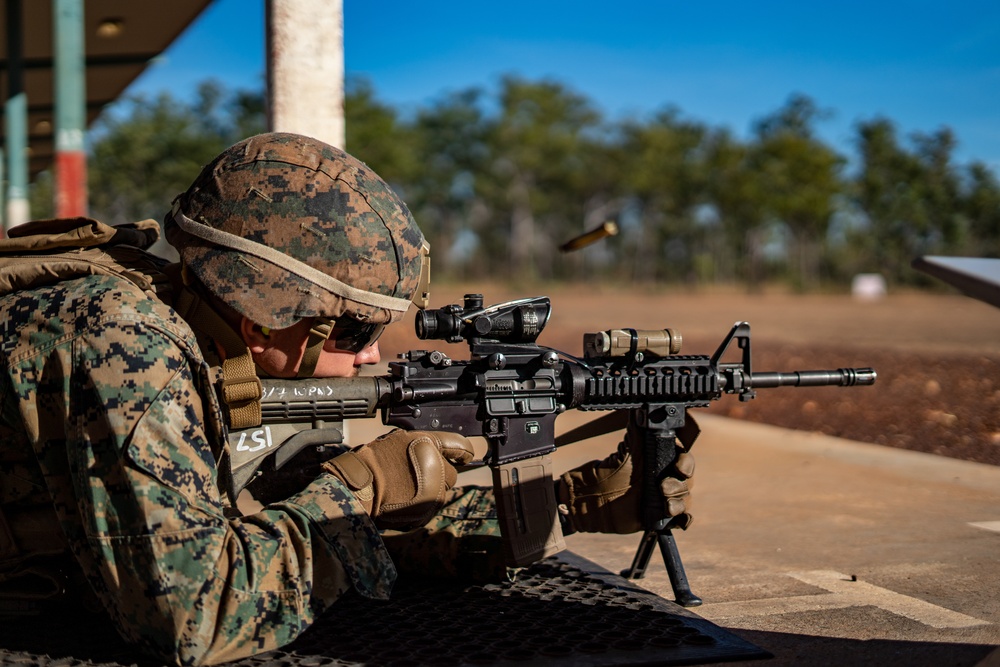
<point>240,388</point>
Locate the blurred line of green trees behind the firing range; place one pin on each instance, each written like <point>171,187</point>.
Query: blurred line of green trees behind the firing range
<point>499,179</point>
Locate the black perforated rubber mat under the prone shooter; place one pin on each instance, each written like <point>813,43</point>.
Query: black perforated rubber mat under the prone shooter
<point>561,611</point>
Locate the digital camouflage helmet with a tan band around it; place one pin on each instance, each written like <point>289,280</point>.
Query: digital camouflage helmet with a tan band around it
<point>283,227</point>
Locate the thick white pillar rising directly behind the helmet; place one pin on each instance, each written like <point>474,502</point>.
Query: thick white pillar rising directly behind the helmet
<point>305,68</point>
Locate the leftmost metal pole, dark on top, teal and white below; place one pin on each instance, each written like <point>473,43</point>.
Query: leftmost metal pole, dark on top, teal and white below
<point>16,120</point>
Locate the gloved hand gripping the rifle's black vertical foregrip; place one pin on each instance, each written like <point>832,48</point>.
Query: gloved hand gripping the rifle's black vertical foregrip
<point>606,496</point>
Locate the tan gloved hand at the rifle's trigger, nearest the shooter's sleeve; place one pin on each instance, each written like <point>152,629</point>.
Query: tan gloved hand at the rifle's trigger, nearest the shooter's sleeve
<point>402,477</point>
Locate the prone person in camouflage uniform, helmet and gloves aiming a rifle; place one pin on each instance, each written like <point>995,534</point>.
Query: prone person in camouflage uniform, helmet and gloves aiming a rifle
<point>122,376</point>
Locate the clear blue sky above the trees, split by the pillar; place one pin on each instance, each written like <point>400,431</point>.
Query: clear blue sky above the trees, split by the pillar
<point>922,64</point>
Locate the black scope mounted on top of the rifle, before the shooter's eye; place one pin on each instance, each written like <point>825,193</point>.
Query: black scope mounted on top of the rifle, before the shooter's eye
<point>519,321</point>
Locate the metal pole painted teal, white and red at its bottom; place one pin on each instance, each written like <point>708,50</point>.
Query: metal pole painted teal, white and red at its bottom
<point>71,108</point>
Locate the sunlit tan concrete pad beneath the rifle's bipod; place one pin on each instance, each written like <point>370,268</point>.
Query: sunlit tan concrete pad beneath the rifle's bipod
<point>825,551</point>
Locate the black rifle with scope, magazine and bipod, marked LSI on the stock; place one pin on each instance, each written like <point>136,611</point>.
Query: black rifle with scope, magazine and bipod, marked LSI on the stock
<point>510,392</point>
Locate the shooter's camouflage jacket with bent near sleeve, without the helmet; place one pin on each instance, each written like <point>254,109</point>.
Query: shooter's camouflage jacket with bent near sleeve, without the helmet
<point>108,412</point>
